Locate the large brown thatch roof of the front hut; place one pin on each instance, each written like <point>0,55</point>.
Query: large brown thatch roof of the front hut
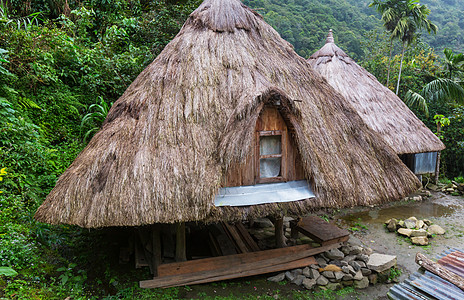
<point>169,140</point>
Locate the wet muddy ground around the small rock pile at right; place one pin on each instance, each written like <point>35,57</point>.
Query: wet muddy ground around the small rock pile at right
<point>367,226</point>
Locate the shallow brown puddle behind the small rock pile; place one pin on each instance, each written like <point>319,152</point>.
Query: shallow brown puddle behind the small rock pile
<point>421,210</point>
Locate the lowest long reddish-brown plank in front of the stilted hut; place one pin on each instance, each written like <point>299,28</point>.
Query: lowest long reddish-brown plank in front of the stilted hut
<point>275,268</point>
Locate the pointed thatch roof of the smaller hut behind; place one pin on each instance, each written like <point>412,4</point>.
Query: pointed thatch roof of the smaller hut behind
<point>379,107</point>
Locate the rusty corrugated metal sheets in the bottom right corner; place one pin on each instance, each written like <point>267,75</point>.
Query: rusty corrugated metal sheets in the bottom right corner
<point>426,285</point>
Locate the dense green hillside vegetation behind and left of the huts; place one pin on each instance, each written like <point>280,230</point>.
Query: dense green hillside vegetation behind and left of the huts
<point>62,65</point>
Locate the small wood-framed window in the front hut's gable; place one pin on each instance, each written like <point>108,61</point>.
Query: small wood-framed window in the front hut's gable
<point>270,166</point>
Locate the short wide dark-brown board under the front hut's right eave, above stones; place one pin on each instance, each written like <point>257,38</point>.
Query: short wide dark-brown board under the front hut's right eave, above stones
<point>320,230</point>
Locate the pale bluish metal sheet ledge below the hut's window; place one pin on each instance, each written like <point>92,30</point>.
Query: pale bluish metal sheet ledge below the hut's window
<point>264,193</point>
